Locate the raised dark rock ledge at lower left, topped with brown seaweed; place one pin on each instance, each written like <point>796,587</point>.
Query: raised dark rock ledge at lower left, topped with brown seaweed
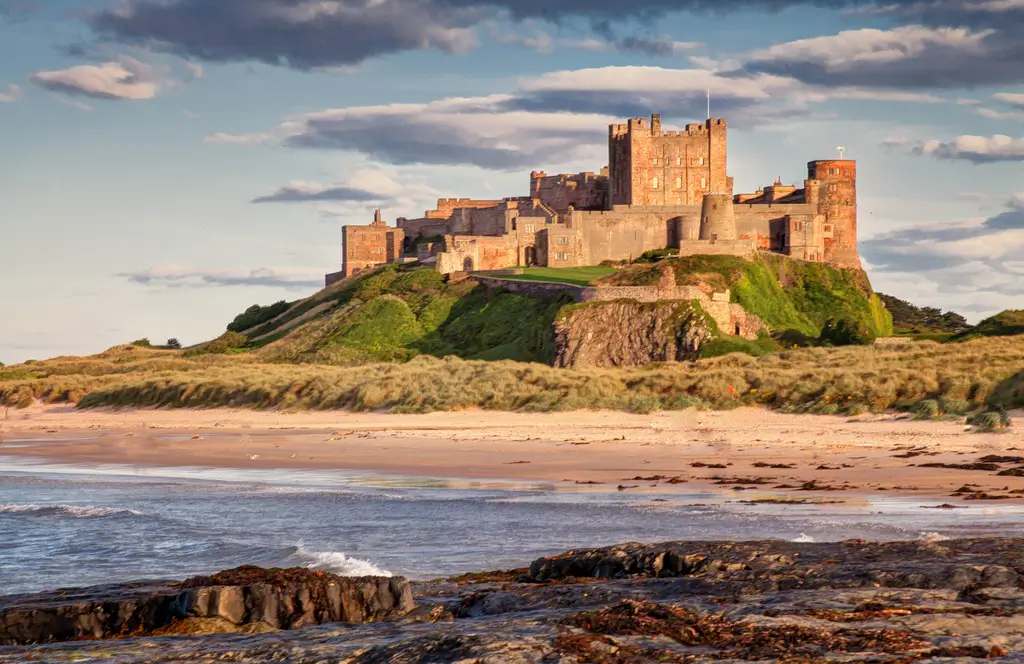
<point>247,599</point>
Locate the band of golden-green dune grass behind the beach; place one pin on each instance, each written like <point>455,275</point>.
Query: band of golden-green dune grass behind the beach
<point>983,373</point>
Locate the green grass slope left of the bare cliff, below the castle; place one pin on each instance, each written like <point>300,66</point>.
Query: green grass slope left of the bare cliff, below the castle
<point>399,313</point>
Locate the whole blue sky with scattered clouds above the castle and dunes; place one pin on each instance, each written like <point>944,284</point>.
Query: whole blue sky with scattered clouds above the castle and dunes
<point>164,164</point>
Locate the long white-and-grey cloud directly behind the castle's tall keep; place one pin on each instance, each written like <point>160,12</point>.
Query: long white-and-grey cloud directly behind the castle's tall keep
<point>558,116</point>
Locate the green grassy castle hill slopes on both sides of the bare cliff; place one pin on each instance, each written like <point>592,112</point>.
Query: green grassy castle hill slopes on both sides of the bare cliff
<point>401,312</point>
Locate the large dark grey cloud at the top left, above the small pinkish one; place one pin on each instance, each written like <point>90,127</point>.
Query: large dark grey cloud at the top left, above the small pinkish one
<point>301,34</point>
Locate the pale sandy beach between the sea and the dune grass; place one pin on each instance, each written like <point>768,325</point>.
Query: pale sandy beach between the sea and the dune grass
<point>773,455</point>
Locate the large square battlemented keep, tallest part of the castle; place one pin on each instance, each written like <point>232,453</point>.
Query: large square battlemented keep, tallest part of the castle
<point>649,167</point>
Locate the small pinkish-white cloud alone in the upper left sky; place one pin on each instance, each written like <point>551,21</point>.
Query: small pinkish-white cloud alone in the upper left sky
<point>126,79</point>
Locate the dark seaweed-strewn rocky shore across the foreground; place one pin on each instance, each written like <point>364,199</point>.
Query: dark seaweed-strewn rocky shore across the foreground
<point>958,601</point>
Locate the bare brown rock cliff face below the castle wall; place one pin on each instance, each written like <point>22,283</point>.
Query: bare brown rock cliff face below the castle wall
<point>626,334</point>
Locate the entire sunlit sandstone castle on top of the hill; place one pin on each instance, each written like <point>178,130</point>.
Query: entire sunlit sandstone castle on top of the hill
<point>661,190</point>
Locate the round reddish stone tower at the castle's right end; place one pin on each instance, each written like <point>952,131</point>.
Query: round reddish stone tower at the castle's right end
<point>832,186</point>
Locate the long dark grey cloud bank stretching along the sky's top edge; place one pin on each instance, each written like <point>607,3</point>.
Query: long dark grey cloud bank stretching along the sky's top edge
<point>310,34</point>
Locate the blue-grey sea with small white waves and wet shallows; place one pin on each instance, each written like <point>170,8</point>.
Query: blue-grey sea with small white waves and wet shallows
<point>70,526</point>
